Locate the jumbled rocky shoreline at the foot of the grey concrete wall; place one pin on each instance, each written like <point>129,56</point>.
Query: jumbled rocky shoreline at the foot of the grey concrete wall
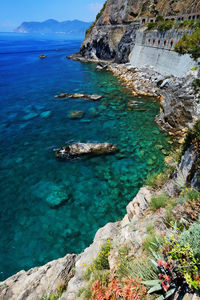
<point>179,101</point>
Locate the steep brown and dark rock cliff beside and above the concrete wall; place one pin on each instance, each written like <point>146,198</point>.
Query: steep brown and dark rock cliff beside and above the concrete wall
<point>114,26</point>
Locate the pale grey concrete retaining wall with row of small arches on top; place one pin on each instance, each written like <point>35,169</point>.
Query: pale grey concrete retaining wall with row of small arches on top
<point>155,49</point>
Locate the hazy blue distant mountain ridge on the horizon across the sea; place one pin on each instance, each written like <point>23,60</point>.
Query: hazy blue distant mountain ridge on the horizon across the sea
<point>53,26</point>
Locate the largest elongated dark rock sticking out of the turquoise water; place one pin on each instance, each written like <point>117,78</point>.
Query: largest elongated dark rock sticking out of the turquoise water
<point>79,149</point>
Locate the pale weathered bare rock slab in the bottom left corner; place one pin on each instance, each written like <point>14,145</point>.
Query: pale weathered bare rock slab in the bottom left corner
<point>38,282</point>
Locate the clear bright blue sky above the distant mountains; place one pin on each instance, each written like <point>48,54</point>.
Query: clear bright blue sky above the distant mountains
<point>14,12</point>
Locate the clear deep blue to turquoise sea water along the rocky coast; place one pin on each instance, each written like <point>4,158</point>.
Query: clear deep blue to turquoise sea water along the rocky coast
<point>33,123</point>
